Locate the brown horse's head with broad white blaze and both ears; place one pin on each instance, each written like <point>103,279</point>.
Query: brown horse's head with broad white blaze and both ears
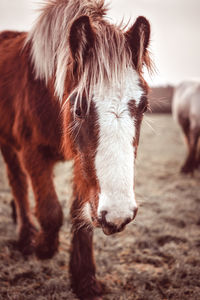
<point>103,116</point>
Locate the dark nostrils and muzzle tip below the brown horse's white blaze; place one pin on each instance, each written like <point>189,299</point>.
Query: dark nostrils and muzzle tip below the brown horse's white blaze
<point>116,225</point>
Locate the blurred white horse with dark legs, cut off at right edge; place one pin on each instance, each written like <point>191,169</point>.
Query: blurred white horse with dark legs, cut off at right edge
<point>186,111</point>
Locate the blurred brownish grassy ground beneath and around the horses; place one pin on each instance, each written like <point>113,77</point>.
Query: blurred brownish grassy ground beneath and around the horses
<point>156,257</point>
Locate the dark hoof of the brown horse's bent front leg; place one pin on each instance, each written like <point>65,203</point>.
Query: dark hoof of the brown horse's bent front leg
<point>46,245</point>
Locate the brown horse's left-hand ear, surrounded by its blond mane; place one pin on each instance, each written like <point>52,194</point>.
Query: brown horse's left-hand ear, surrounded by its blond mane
<point>81,38</point>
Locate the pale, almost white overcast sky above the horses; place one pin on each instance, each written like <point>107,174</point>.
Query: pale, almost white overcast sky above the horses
<point>175,40</point>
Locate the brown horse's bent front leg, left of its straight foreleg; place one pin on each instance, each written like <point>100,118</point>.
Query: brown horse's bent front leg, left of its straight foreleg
<point>48,209</point>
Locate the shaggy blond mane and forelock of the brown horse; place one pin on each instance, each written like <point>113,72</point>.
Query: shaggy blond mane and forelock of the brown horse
<point>109,56</point>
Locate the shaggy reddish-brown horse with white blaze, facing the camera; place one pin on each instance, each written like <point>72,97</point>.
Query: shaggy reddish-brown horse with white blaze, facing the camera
<point>72,88</point>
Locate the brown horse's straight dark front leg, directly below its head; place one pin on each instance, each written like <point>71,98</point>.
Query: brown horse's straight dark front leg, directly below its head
<point>82,265</point>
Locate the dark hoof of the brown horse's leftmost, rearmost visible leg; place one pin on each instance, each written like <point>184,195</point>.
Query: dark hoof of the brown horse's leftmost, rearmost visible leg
<point>27,240</point>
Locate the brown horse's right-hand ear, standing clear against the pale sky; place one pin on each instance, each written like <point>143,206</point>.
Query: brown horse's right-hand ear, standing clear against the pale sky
<point>138,37</point>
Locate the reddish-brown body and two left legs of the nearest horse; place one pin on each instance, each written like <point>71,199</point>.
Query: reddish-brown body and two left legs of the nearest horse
<point>24,143</point>
